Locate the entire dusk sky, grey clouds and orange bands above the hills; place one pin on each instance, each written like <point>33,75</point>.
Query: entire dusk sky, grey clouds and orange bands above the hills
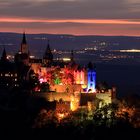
<point>78,17</point>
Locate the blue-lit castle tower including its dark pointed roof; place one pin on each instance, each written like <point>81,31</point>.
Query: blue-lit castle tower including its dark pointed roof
<point>91,78</point>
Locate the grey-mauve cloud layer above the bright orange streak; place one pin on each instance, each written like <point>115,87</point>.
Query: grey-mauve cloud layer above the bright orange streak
<point>71,9</point>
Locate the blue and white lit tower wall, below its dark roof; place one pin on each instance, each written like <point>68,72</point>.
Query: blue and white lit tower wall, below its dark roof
<point>91,81</point>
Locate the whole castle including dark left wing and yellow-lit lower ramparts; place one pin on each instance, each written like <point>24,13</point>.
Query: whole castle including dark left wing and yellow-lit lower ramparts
<point>62,80</point>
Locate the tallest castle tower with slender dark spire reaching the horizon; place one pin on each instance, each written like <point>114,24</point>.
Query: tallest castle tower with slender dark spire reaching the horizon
<point>24,46</point>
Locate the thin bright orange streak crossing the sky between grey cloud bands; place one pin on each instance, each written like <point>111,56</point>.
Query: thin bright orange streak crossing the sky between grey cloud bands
<point>85,21</point>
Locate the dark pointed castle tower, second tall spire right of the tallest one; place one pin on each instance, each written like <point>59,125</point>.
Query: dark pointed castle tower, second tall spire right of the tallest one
<point>48,56</point>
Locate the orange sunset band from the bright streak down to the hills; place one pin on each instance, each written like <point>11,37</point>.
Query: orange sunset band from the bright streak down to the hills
<point>111,27</point>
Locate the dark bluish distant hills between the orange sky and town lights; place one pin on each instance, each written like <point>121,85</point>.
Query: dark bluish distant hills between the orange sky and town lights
<point>37,42</point>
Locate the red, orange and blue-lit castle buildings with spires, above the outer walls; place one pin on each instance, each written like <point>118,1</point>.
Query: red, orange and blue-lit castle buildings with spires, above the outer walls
<point>64,77</point>
